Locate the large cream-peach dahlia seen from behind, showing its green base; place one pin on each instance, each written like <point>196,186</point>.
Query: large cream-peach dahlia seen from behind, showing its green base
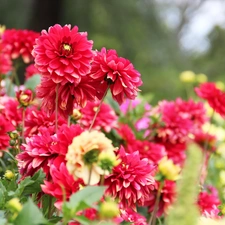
<point>82,155</point>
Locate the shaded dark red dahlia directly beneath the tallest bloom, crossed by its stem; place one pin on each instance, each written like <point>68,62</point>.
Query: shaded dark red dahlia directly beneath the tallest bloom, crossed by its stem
<point>69,96</point>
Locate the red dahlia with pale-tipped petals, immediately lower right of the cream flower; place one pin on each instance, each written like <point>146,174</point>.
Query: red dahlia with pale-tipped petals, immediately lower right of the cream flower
<point>131,181</point>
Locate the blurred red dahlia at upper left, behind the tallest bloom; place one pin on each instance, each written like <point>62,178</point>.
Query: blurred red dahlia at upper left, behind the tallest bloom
<point>19,43</point>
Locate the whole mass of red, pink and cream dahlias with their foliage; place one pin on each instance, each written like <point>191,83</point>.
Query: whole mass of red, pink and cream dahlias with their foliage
<point>60,138</point>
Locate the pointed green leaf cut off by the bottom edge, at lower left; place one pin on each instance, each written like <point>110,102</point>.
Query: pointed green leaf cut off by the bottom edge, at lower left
<point>30,215</point>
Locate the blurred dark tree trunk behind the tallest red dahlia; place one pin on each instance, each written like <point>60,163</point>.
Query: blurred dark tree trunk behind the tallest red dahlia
<point>45,13</point>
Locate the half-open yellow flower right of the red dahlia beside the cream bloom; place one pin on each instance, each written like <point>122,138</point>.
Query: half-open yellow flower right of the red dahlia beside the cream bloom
<point>168,169</point>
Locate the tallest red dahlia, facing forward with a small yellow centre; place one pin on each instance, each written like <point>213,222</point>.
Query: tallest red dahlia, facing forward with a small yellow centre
<point>63,54</point>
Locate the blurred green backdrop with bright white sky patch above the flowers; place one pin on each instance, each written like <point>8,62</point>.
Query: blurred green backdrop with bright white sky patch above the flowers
<point>161,38</point>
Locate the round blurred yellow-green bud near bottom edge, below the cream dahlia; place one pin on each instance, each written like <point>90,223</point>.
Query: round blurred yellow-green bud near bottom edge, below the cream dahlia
<point>109,209</point>
